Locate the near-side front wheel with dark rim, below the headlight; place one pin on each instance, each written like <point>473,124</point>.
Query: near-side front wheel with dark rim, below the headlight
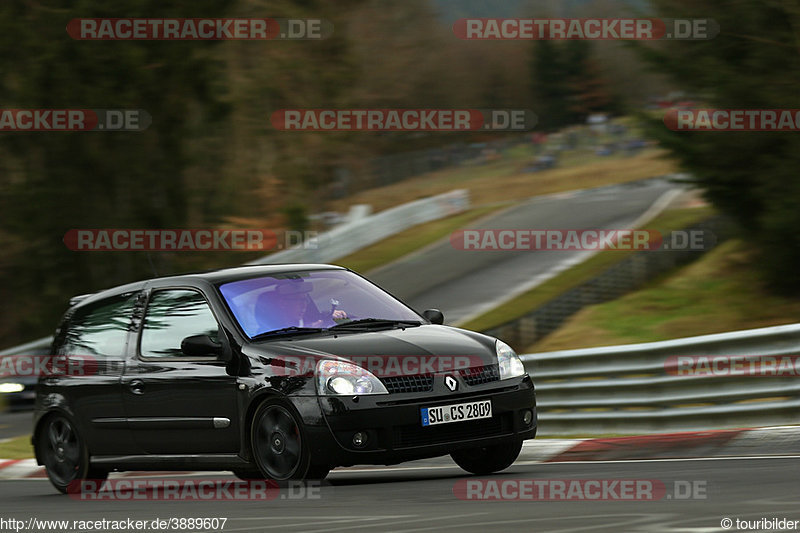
<point>279,445</point>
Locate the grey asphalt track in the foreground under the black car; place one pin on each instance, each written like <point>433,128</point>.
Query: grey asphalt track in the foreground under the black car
<point>419,497</point>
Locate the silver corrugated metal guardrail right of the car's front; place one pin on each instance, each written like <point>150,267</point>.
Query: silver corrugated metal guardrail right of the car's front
<point>628,389</point>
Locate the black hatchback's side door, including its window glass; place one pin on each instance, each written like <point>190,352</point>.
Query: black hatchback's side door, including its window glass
<point>177,404</point>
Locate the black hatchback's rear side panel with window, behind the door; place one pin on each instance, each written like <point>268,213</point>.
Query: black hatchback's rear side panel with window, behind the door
<point>95,338</point>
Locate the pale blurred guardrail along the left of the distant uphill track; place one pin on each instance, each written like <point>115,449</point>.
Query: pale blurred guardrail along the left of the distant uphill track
<point>366,230</point>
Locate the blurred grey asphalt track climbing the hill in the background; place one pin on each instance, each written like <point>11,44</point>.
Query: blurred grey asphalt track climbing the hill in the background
<point>462,283</point>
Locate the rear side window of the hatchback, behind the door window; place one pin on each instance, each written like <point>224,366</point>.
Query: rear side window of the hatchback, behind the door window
<point>100,329</point>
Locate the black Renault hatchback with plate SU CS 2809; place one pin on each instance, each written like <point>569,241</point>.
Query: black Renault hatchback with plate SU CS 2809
<point>279,372</point>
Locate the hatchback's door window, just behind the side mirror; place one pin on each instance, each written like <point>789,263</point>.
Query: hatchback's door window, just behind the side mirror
<point>171,316</point>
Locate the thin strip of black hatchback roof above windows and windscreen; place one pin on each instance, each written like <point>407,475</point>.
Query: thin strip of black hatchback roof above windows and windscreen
<point>210,276</point>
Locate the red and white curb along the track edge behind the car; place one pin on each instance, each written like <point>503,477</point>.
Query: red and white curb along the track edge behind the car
<point>744,442</point>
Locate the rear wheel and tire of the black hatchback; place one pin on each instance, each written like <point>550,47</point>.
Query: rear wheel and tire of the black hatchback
<point>65,454</point>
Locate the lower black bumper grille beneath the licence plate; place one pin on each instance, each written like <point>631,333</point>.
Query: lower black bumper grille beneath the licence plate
<point>418,435</point>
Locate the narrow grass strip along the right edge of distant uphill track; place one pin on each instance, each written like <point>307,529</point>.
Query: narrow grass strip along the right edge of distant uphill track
<point>580,273</point>
